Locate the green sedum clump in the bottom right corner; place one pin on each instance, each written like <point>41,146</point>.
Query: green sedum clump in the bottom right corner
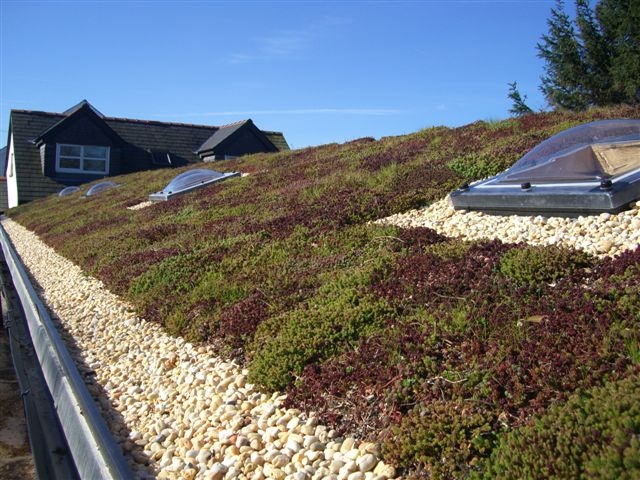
<point>594,435</point>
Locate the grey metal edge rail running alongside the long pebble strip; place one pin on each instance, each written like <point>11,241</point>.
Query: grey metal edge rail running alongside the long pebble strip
<point>95,452</point>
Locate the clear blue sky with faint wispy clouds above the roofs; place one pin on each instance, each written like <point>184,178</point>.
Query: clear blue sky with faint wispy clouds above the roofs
<point>320,71</point>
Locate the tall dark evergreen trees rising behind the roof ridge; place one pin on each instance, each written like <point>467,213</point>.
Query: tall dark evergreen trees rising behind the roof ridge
<point>595,62</point>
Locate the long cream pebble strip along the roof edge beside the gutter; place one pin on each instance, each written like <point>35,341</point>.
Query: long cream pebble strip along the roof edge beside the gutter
<point>180,411</point>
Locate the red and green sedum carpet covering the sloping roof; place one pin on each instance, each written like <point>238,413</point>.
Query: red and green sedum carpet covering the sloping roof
<point>464,359</point>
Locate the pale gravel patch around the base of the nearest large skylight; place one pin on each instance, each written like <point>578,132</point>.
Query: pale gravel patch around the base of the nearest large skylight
<point>600,235</point>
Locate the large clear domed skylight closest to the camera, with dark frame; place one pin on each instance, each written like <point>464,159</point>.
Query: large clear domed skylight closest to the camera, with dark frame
<point>588,169</point>
